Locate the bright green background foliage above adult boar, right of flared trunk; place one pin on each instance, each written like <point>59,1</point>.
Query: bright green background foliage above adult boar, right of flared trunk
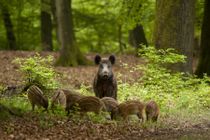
<point>96,21</point>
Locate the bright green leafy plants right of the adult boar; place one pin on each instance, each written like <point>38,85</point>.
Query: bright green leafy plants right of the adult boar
<point>171,90</point>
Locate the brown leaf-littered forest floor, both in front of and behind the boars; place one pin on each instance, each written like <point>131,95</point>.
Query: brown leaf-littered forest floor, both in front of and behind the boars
<point>47,127</point>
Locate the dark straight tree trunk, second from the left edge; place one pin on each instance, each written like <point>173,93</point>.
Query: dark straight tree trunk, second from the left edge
<point>46,26</point>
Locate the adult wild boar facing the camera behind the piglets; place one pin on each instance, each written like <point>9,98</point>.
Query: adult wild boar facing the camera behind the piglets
<point>105,84</point>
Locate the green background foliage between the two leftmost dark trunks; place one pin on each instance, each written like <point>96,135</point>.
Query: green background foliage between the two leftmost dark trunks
<point>25,18</point>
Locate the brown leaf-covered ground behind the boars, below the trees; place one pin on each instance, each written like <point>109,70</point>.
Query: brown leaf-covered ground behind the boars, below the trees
<point>72,76</point>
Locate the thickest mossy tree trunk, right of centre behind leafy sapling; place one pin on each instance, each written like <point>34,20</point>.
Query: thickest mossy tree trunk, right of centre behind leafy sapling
<point>174,28</point>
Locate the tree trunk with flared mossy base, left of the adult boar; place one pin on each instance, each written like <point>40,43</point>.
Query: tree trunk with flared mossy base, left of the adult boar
<point>69,54</point>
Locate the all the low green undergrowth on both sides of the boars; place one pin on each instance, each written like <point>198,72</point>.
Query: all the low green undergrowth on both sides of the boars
<point>182,97</point>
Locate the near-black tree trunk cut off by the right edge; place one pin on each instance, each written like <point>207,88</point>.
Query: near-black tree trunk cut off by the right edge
<point>204,58</point>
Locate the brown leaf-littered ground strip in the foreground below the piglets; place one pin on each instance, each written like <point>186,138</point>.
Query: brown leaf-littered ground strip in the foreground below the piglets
<point>45,127</point>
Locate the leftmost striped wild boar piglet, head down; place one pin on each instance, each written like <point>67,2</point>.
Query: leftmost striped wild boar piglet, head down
<point>36,97</point>
